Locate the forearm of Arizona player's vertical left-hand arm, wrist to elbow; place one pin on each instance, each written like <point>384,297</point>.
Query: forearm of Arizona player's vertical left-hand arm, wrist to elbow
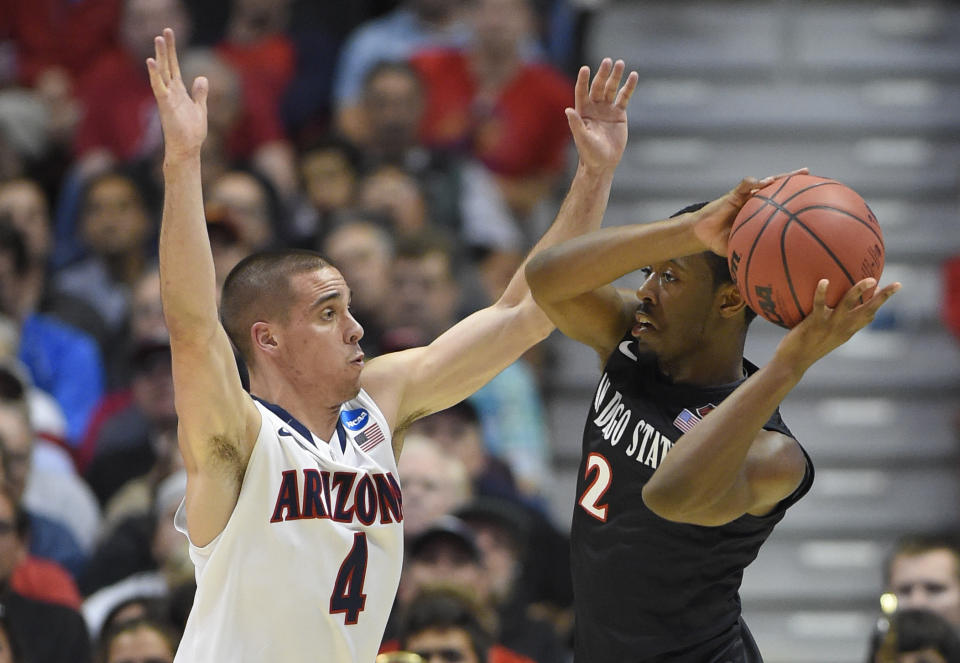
<point>186,262</point>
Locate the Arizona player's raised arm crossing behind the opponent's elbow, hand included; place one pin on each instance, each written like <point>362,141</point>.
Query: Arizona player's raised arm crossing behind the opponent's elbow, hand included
<point>414,383</point>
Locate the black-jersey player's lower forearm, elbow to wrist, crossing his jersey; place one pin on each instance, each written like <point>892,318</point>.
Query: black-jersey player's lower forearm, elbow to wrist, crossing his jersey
<point>705,463</point>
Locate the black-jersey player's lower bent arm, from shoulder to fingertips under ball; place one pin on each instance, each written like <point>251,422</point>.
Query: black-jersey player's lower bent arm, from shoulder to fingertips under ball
<point>727,466</point>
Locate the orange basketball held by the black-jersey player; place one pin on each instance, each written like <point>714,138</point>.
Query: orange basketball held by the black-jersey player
<point>793,233</point>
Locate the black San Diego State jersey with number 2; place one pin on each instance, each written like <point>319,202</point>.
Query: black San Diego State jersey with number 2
<point>645,588</point>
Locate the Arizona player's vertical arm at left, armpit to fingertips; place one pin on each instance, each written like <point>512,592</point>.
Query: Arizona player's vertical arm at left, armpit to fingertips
<point>218,422</point>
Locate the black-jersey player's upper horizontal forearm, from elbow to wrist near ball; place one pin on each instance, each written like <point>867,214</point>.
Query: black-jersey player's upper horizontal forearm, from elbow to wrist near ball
<point>596,259</point>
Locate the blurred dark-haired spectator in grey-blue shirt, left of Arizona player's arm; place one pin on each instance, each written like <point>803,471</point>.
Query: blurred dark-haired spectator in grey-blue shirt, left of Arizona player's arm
<point>116,228</point>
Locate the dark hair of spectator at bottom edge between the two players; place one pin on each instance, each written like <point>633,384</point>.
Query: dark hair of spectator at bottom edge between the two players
<point>445,608</point>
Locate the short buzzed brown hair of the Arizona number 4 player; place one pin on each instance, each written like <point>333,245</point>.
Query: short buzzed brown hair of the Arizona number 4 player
<point>260,288</point>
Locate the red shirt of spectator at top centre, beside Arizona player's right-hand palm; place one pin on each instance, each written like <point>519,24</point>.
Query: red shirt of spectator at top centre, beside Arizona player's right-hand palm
<point>523,132</point>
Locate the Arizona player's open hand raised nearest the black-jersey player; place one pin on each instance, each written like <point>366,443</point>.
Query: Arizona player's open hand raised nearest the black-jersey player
<point>598,119</point>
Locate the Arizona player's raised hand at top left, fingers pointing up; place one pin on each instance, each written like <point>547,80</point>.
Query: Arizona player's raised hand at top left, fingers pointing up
<point>183,116</point>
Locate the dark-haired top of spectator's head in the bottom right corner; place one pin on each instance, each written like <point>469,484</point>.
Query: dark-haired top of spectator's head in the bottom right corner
<point>916,636</point>
